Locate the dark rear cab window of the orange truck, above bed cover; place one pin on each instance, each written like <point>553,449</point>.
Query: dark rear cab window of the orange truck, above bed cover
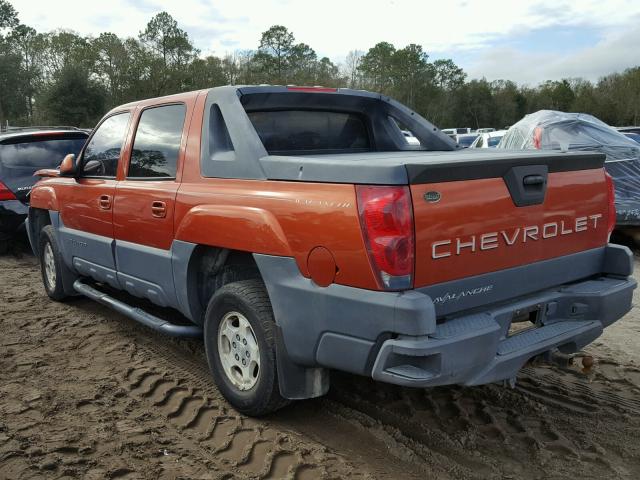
<point>301,131</point>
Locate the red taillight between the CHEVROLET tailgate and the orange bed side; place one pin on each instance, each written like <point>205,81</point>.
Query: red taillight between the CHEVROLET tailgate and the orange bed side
<point>386,217</point>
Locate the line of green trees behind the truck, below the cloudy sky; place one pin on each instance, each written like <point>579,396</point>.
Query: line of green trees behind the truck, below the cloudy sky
<point>64,78</point>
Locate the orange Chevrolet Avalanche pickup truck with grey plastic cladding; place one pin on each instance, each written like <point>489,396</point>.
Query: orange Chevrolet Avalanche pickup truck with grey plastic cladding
<point>298,231</point>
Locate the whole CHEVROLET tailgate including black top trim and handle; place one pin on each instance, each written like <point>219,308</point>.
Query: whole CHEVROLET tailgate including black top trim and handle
<point>467,221</point>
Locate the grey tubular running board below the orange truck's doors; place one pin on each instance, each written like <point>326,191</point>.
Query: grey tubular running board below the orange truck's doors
<point>138,314</point>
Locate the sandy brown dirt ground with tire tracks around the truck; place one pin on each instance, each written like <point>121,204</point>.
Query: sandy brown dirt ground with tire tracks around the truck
<point>87,393</point>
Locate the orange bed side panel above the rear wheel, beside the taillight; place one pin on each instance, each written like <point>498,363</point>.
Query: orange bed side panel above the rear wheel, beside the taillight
<point>276,218</point>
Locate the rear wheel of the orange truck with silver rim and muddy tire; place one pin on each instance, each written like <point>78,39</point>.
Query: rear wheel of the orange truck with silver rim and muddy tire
<point>229,311</point>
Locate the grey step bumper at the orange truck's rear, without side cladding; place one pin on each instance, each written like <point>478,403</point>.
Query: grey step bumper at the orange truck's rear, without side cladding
<point>474,349</point>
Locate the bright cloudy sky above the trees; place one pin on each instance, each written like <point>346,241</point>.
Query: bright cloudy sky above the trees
<point>525,41</point>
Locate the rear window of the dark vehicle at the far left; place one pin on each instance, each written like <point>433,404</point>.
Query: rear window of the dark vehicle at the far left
<point>45,152</point>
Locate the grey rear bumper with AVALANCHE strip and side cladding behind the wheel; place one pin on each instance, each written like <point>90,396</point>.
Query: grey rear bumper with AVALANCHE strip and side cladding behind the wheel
<point>406,338</point>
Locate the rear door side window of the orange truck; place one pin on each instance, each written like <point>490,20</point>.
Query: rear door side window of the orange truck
<point>157,142</point>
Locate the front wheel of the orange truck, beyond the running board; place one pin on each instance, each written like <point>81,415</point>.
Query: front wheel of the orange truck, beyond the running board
<point>51,265</point>
